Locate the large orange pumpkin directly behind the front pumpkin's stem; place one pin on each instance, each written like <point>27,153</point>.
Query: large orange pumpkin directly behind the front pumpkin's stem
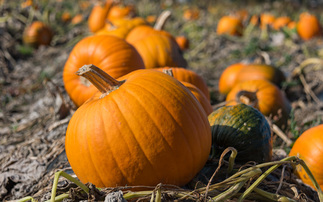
<point>112,54</point>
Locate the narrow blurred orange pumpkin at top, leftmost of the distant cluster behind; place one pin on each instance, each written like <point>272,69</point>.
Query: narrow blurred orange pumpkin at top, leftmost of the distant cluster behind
<point>98,15</point>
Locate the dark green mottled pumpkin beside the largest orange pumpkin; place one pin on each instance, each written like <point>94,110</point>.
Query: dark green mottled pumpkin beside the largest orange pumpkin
<point>244,128</point>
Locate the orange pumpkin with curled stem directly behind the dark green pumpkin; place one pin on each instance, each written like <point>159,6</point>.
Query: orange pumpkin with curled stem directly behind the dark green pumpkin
<point>264,96</point>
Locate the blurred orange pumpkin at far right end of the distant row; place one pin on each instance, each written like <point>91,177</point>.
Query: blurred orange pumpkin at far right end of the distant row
<point>308,26</point>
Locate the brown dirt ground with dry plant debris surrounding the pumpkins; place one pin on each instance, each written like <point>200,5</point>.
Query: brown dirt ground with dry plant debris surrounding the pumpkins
<point>35,108</point>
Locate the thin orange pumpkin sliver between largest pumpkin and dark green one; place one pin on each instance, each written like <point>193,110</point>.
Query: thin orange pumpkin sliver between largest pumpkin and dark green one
<point>199,95</point>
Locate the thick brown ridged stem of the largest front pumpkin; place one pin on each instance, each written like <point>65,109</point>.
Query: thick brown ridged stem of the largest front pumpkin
<point>100,79</point>
